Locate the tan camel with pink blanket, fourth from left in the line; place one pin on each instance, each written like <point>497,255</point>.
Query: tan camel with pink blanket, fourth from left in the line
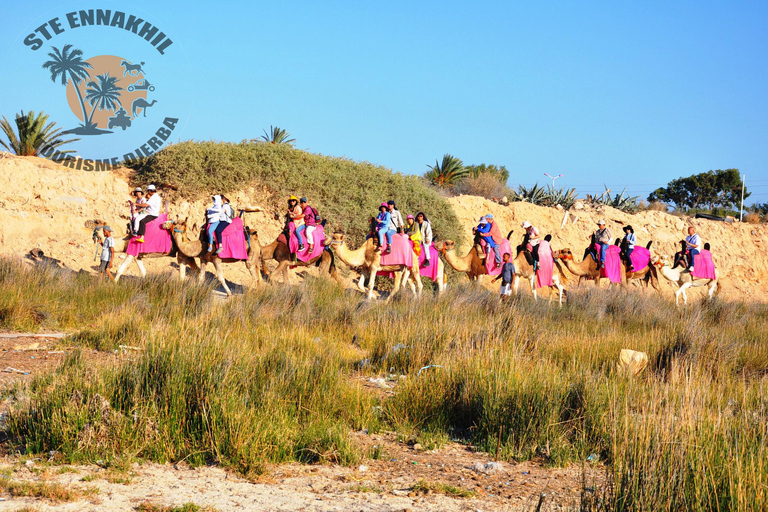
<point>367,258</point>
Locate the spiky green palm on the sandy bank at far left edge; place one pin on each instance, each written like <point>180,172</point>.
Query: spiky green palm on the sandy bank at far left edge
<point>34,136</point>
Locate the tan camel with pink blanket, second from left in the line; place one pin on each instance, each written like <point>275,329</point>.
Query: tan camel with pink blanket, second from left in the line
<point>196,249</point>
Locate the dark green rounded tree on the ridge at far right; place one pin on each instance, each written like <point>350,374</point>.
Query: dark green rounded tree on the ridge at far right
<point>705,190</point>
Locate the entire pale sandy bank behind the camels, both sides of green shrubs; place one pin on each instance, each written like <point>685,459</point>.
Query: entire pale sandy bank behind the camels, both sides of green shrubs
<point>45,205</point>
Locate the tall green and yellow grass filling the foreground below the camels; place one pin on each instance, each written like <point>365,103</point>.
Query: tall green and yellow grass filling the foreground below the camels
<point>275,375</point>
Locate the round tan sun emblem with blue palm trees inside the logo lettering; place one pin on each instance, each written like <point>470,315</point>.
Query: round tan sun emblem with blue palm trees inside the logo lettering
<point>114,97</point>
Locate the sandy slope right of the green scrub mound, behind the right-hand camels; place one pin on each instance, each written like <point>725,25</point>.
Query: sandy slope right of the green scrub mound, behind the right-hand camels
<point>738,249</point>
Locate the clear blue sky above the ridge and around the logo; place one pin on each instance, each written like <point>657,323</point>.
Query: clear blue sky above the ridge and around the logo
<point>621,93</point>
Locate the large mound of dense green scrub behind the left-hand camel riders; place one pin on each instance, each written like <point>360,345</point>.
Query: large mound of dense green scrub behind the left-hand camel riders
<point>345,192</point>
